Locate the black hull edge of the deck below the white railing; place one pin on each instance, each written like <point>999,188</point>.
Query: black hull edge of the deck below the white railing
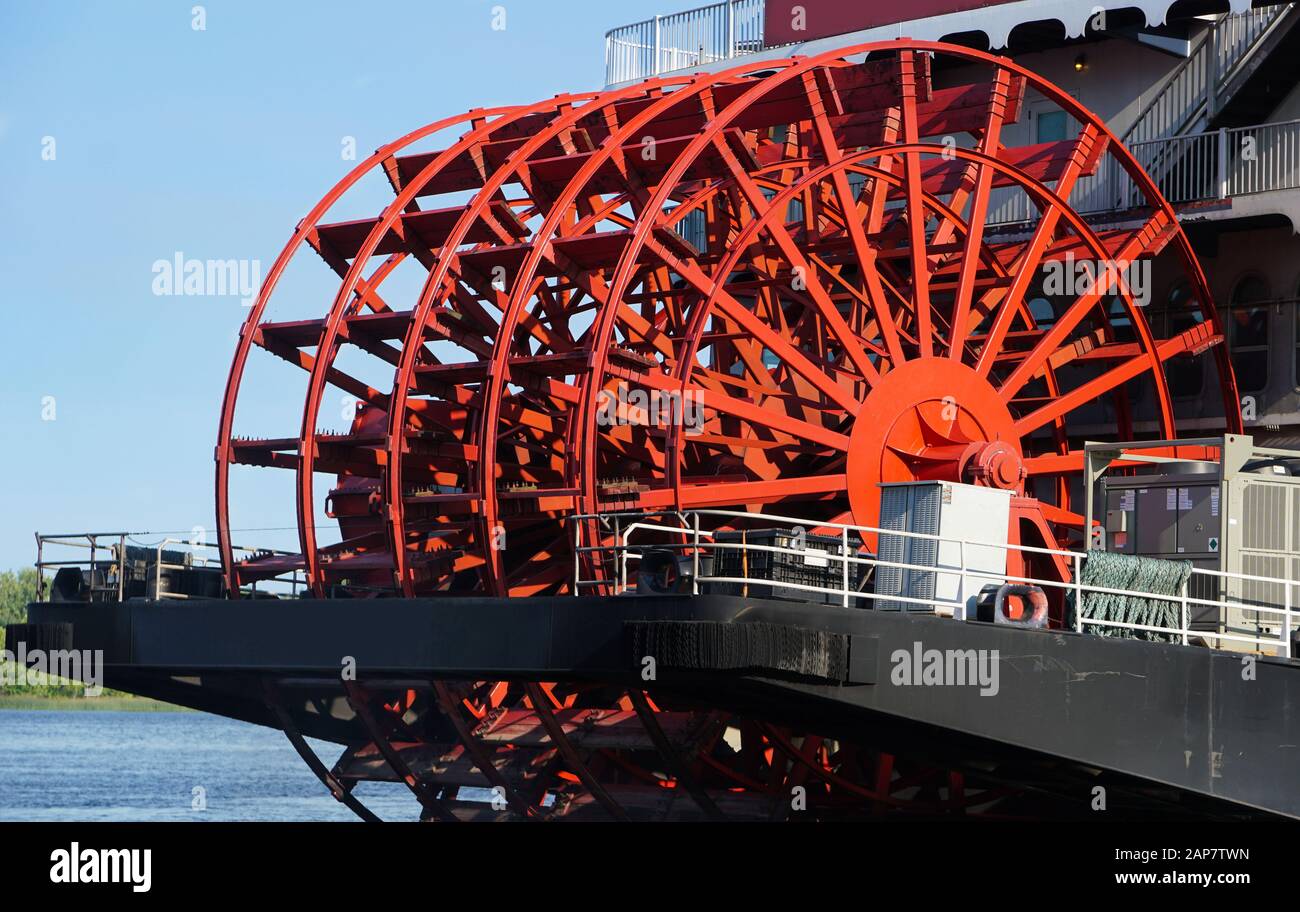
<point>1217,724</point>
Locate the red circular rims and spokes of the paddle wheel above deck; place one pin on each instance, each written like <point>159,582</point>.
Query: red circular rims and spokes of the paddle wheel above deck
<point>651,205</point>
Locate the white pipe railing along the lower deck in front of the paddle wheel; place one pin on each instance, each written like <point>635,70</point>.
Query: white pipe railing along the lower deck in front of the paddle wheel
<point>694,536</point>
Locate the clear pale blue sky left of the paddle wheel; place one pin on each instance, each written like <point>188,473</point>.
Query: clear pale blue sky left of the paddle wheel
<point>213,144</point>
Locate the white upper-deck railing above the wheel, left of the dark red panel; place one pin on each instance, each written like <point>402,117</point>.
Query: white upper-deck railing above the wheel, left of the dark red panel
<point>683,41</point>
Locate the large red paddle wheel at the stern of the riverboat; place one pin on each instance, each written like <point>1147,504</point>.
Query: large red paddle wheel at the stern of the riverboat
<point>809,257</point>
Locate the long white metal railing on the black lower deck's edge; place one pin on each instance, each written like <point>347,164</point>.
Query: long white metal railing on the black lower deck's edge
<point>697,541</point>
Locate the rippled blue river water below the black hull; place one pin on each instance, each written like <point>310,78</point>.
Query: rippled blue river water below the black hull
<point>101,766</point>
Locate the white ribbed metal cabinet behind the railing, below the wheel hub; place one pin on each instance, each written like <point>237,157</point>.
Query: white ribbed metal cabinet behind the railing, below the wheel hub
<point>951,515</point>
